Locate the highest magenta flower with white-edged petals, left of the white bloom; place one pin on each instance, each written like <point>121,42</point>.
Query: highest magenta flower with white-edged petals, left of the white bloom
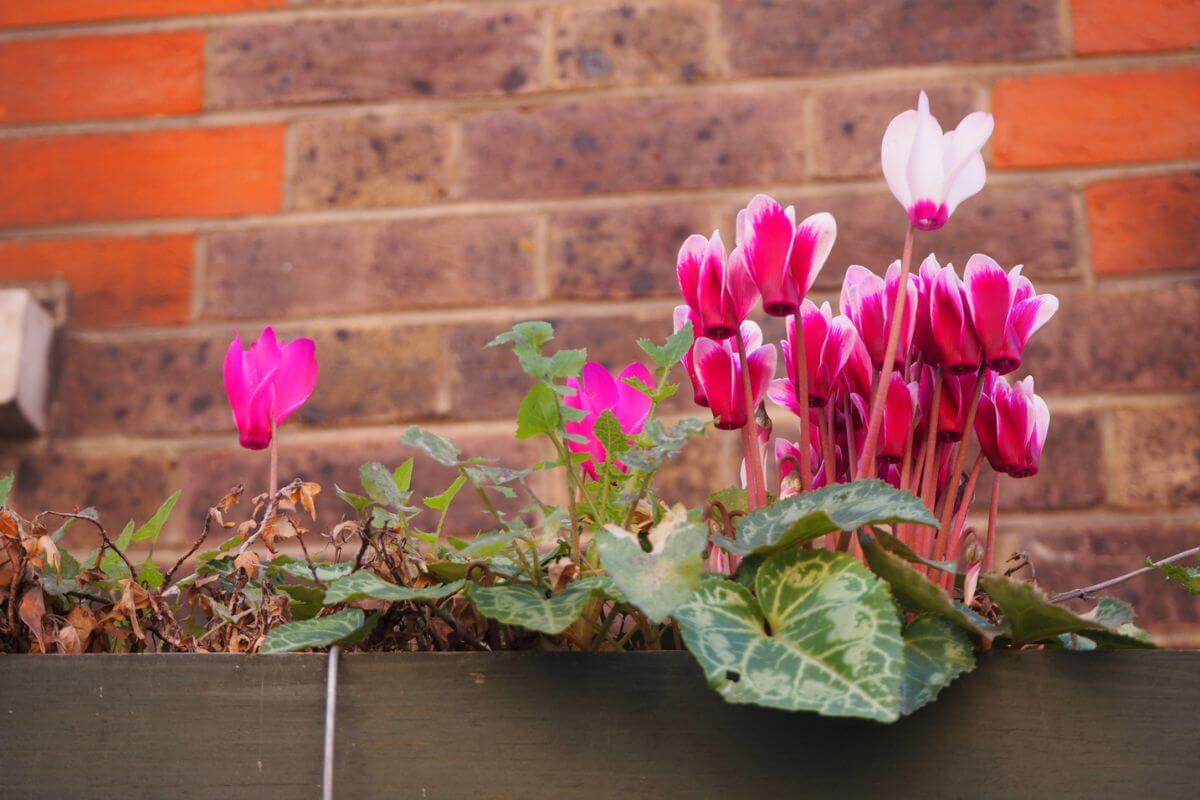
<point>785,258</point>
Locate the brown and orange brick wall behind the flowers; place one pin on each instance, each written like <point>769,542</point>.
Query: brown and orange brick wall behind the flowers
<point>400,181</point>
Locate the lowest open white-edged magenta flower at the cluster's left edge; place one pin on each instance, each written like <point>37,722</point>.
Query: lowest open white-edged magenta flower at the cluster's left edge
<point>721,375</point>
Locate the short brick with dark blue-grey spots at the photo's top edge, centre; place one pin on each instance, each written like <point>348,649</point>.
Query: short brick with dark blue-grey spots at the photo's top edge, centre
<point>639,45</point>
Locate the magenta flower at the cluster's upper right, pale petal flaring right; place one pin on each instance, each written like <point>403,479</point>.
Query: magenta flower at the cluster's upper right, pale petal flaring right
<point>1005,310</point>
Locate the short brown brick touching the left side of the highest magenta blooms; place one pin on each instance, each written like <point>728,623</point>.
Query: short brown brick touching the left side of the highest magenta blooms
<point>620,254</point>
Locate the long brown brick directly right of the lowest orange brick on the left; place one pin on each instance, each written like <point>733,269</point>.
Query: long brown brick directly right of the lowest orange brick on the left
<point>381,266</point>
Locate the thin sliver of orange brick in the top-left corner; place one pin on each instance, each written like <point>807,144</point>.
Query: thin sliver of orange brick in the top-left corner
<point>50,13</point>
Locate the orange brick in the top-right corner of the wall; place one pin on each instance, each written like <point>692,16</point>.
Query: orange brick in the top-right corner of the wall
<point>1142,27</point>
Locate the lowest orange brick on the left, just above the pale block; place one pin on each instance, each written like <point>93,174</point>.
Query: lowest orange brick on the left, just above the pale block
<point>125,281</point>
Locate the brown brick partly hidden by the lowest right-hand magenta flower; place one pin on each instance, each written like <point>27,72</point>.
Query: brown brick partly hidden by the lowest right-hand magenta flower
<point>1072,470</point>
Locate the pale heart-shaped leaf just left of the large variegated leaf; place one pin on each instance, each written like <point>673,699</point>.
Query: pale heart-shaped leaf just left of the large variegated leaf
<point>663,580</point>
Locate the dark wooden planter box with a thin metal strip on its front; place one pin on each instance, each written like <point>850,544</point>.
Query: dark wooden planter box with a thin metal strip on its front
<point>529,725</point>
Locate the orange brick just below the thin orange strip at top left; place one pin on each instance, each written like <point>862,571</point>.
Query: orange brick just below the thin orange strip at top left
<point>101,76</point>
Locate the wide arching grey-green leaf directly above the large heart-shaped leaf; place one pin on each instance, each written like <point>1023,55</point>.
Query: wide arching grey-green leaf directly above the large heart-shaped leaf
<point>805,518</point>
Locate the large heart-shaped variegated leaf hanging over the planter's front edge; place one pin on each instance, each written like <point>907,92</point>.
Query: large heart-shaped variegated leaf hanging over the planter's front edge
<point>821,636</point>
